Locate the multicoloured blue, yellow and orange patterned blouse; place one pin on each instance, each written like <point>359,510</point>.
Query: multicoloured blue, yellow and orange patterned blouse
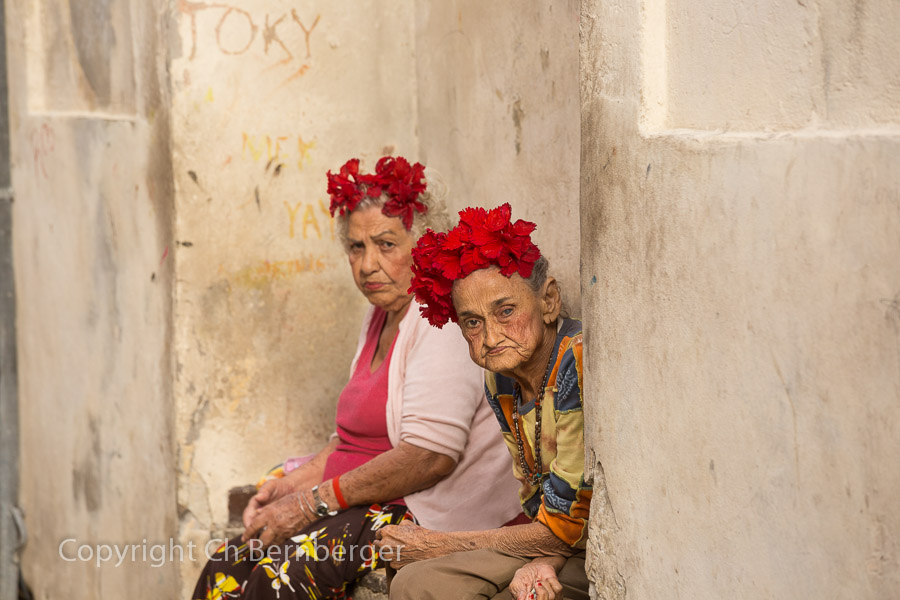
<point>563,500</point>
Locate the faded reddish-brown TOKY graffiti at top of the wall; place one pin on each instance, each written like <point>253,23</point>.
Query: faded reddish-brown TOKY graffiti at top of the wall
<point>238,32</point>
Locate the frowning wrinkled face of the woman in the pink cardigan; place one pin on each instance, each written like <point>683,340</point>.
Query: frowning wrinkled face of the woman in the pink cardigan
<point>380,252</point>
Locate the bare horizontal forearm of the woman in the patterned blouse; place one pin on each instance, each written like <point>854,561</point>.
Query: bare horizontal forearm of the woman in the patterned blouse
<point>527,541</point>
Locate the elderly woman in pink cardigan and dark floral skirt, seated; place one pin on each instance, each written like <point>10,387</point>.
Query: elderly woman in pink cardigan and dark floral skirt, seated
<point>415,438</point>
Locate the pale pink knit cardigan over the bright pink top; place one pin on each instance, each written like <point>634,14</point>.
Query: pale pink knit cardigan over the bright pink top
<point>436,401</point>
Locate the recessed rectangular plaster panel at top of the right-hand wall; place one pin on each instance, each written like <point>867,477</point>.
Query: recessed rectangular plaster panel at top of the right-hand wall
<point>788,65</point>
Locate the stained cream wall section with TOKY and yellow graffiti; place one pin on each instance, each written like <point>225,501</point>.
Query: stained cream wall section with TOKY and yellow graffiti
<point>267,98</point>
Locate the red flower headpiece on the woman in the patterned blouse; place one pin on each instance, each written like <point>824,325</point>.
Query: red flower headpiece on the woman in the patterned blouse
<point>482,239</point>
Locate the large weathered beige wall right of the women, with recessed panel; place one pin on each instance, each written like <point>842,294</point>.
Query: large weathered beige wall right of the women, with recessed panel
<point>742,298</point>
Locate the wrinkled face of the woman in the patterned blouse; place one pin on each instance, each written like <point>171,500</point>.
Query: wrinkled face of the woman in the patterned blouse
<point>500,317</point>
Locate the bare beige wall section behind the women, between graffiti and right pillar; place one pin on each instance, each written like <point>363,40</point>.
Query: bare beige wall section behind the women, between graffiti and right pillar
<point>499,114</point>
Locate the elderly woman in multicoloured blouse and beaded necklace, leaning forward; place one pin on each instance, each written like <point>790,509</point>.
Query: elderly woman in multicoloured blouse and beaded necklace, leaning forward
<point>488,276</point>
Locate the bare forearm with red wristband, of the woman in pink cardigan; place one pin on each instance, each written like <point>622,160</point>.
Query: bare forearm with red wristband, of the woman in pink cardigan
<point>391,475</point>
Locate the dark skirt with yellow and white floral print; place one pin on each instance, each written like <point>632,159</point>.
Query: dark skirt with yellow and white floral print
<point>320,562</point>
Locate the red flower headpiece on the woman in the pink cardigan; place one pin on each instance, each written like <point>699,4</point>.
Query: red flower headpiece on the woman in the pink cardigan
<point>394,177</point>
